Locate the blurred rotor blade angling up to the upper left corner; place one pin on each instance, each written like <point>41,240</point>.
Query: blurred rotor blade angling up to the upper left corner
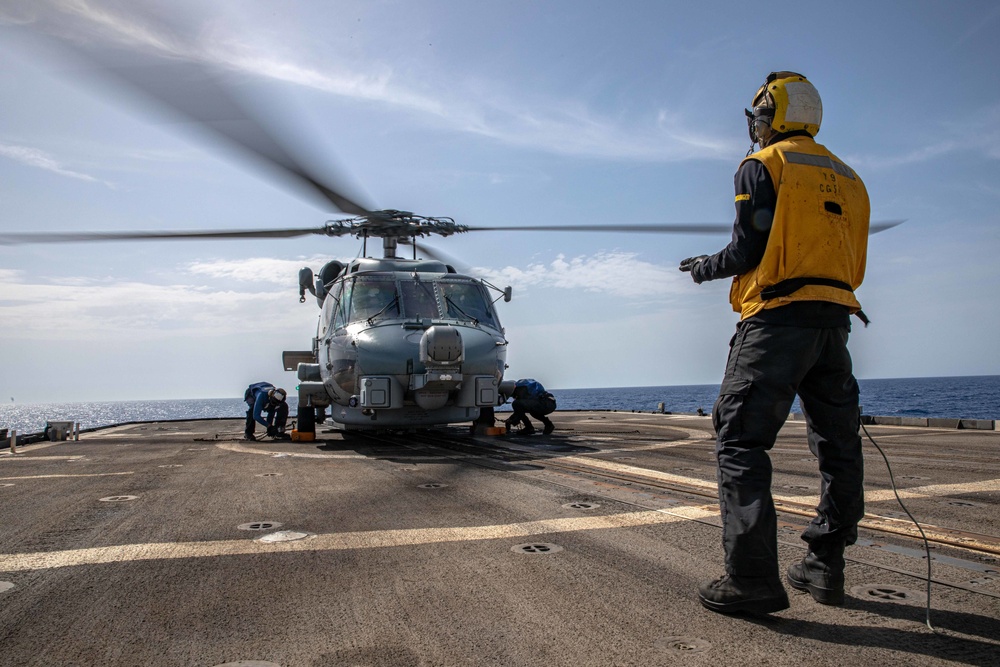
<point>177,77</point>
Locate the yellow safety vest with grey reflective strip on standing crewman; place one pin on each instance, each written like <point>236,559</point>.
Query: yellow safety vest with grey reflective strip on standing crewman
<point>818,244</point>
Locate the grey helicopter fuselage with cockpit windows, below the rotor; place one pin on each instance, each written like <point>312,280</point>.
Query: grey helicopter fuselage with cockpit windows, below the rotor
<point>401,343</point>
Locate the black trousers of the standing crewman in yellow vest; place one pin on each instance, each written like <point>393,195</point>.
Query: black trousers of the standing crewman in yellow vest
<point>768,365</point>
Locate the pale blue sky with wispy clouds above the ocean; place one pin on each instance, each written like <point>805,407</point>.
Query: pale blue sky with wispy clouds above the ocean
<point>495,114</point>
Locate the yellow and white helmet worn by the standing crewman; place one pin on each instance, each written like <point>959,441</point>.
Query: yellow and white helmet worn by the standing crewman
<point>787,102</point>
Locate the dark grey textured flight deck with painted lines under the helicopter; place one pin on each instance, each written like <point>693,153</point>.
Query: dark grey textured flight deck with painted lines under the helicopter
<point>179,543</point>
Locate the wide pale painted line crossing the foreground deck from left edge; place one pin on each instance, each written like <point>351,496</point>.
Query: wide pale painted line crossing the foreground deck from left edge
<point>342,541</point>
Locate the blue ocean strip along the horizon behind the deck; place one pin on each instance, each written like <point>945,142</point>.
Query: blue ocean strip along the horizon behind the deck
<point>973,397</point>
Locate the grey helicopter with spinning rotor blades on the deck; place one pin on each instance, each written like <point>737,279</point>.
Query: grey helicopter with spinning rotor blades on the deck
<point>400,342</point>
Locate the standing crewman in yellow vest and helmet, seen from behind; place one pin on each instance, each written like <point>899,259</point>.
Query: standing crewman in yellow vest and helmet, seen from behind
<point>797,255</point>
